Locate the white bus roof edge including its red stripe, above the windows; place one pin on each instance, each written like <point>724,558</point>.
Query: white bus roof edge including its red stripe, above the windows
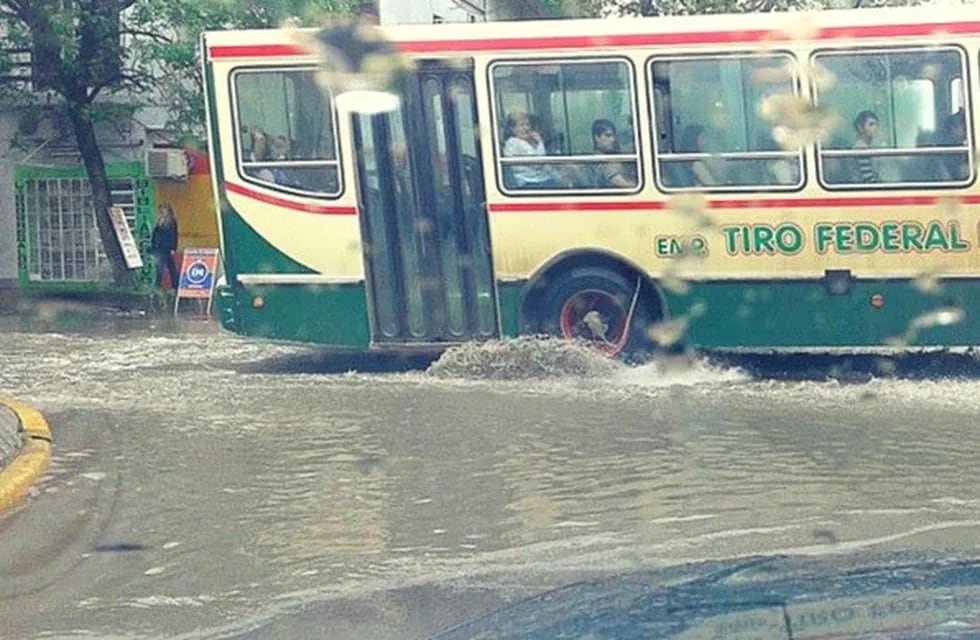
<point>716,29</point>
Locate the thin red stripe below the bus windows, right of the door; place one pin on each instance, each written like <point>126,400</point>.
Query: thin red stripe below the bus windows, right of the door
<point>747,203</point>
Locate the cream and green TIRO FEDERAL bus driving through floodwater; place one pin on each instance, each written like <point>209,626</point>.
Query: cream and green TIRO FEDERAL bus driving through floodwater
<point>753,182</point>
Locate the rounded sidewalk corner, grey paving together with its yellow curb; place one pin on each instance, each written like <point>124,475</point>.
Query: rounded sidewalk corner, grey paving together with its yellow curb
<point>25,450</point>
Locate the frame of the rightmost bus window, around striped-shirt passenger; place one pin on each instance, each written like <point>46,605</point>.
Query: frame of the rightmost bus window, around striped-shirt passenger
<point>819,150</point>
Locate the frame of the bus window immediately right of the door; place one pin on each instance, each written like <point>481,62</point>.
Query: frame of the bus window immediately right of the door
<point>497,118</point>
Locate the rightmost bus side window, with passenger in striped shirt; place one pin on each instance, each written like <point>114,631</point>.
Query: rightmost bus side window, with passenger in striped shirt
<point>922,135</point>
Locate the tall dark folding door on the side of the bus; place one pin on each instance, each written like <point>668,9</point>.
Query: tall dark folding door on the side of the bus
<point>423,215</point>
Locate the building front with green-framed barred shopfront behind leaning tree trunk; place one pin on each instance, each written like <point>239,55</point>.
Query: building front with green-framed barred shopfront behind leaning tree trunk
<point>48,237</point>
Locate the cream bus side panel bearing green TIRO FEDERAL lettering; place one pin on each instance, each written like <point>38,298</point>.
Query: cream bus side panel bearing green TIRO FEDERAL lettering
<point>879,242</point>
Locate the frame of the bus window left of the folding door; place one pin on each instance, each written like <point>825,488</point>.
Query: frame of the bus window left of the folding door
<point>240,164</point>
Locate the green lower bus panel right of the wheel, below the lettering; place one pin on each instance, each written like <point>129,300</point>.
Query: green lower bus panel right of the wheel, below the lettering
<point>801,314</point>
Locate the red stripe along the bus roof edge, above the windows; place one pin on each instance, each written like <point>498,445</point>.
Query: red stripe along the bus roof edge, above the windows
<point>624,40</point>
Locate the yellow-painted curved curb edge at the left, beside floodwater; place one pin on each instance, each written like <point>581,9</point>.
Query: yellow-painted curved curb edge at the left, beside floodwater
<point>33,460</point>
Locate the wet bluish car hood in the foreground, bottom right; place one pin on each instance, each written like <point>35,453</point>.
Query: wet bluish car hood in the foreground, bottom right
<point>896,596</point>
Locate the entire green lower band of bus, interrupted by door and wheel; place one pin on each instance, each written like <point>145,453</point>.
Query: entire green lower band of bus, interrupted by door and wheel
<point>721,315</point>
